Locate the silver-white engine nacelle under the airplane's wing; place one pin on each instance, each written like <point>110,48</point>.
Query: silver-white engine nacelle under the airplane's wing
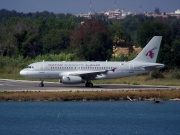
<point>71,80</point>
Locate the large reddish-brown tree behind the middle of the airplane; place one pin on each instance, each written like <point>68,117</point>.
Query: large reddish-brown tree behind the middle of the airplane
<point>91,40</point>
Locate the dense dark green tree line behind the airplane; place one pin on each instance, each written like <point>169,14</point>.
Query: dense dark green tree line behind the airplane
<point>33,34</point>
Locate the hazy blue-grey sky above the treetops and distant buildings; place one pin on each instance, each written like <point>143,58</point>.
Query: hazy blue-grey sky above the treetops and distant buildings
<point>83,6</point>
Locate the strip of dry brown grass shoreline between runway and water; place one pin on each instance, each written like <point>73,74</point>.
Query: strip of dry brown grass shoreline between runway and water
<point>138,95</point>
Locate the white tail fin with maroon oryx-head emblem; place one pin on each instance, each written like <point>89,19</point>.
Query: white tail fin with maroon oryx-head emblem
<point>150,51</point>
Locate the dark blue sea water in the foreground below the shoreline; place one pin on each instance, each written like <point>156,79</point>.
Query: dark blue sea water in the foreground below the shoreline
<point>90,118</point>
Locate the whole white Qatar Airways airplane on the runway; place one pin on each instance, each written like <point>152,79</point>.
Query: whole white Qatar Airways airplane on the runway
<point>85,71</point>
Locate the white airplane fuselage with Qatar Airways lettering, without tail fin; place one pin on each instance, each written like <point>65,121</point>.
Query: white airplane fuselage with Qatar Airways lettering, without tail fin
<point>57,70</point>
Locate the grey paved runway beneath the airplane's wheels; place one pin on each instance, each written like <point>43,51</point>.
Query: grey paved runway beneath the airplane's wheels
<point>19,85</point>
